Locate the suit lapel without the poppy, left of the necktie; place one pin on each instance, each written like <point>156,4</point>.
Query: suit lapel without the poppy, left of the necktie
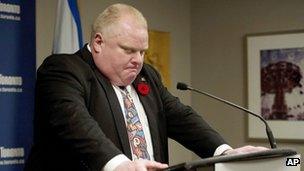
<point>113,103</point>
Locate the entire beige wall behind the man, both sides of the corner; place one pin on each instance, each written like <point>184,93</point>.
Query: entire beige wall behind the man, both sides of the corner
<point>218,62</point>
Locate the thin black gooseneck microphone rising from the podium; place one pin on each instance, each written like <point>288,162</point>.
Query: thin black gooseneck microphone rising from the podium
<point>273,144</point>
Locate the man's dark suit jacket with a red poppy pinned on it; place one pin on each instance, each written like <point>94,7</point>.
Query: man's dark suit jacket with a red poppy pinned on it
<point>79,124</point>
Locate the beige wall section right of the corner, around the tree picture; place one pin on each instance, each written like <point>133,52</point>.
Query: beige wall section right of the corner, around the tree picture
<point>218,63</point>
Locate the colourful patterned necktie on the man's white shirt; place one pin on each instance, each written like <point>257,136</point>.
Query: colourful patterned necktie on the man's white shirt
<point>134,128</point>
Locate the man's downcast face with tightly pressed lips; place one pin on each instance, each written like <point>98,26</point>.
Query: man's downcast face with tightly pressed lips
<point>122,52</point>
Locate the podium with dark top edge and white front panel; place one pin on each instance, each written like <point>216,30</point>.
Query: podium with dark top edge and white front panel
<point>269,160</point>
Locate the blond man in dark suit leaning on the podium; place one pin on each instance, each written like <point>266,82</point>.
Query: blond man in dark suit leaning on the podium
<point>103,109</point>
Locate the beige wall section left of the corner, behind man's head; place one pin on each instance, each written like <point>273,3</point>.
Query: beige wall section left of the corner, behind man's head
<point>161,15</point>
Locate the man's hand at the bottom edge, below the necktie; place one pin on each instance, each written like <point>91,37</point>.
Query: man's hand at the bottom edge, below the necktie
<point>140,165</point>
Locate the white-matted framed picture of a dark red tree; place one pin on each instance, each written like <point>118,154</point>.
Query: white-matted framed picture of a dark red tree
<point>276,84</point>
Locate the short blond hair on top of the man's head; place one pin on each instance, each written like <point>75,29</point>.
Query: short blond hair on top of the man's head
<point>111,16</point>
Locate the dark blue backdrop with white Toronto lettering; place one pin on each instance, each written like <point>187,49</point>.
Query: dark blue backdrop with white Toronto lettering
<point>17,78</point>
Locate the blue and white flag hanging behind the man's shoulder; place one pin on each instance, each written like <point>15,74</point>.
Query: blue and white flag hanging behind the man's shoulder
<point>68,34</point>
